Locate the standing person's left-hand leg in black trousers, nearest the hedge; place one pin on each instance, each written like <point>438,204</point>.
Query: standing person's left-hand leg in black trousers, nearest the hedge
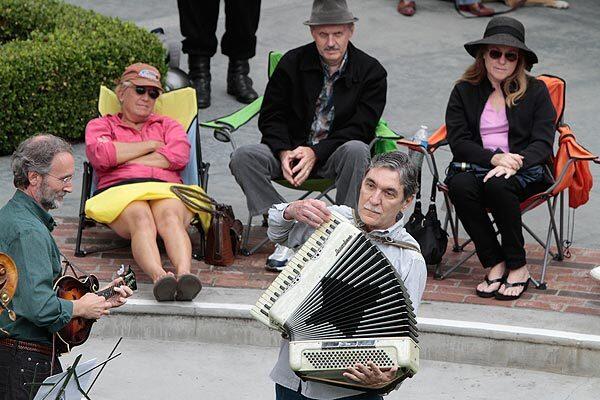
<point>198,22</point>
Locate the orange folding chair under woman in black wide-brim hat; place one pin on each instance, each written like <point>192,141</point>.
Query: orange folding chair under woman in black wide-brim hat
<point>560,181</point>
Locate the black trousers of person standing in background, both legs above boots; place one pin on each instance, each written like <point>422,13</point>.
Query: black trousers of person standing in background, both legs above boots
<point>198,22</point>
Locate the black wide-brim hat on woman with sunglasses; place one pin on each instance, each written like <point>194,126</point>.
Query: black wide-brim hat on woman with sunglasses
<point>504,31</point>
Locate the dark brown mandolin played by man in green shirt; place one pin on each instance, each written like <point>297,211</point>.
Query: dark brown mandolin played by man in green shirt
<point>77,331</point>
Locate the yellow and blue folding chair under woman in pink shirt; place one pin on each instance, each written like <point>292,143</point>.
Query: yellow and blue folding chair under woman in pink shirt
<point>178,104</point>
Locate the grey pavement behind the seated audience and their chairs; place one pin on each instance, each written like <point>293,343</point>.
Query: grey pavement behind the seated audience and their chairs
<point>423,56</point>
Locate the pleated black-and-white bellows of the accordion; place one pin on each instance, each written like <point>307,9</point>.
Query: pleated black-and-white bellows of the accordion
<point>361,295</point>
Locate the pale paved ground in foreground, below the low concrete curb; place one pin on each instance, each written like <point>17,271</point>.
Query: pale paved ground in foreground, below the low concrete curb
<point>207,371</point>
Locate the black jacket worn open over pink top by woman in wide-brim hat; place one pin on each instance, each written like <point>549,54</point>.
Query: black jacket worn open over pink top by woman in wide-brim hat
<point>530,123</point>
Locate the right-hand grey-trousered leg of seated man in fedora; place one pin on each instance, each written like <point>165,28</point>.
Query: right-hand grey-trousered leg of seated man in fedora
<point>347,165</point>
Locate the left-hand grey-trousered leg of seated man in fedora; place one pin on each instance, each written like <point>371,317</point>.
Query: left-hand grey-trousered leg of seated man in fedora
<point>254,166</point>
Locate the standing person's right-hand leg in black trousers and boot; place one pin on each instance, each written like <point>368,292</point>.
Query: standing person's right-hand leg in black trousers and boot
<point>239,44</point>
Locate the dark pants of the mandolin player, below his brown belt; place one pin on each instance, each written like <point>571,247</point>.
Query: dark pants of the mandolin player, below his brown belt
<point>18,368</point>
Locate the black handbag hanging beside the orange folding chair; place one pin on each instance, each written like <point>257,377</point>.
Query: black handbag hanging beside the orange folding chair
<point>427,229</point>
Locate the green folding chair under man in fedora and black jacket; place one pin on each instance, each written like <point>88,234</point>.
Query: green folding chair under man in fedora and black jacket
<point>223,128</point>
